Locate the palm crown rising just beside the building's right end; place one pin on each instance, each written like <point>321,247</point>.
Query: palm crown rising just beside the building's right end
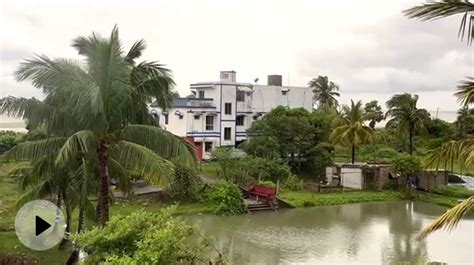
<point>325,91</point>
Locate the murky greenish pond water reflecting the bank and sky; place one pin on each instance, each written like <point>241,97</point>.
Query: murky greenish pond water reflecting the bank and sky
<point>363,233</point>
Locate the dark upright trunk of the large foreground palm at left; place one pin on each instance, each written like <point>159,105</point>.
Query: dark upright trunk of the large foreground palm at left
<point>103,200</point>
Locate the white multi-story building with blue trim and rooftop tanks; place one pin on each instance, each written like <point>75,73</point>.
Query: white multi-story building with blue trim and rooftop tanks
<point>219,113</point>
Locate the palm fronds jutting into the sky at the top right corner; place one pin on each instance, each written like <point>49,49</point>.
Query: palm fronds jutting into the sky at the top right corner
<point>445,8</point>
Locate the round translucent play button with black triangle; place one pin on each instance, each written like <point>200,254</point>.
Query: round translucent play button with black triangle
<point>40,225</point>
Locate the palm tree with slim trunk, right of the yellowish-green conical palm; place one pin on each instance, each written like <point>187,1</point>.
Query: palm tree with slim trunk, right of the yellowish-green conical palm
<point>405,116</point>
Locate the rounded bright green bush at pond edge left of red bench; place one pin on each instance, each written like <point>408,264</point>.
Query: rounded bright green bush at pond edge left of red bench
<point>226,199</point>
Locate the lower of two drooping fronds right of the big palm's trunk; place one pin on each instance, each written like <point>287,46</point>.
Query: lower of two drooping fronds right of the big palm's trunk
<point>143,162</point>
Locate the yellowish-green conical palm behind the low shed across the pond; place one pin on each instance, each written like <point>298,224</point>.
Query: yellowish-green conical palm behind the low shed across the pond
<point>352,131</point>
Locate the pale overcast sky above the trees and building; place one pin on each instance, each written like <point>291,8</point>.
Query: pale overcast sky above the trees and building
<point>368,47</point>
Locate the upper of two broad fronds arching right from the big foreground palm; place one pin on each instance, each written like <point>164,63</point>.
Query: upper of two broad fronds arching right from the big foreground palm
<point>164,143</point>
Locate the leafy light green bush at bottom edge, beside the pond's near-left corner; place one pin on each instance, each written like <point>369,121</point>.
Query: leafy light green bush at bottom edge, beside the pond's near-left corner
<point>145,238</point>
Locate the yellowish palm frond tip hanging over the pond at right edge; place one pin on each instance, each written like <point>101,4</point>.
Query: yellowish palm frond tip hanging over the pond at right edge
<point>449,219</point>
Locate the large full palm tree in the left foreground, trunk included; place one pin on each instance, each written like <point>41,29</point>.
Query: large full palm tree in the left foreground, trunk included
<point>98,108</point>
